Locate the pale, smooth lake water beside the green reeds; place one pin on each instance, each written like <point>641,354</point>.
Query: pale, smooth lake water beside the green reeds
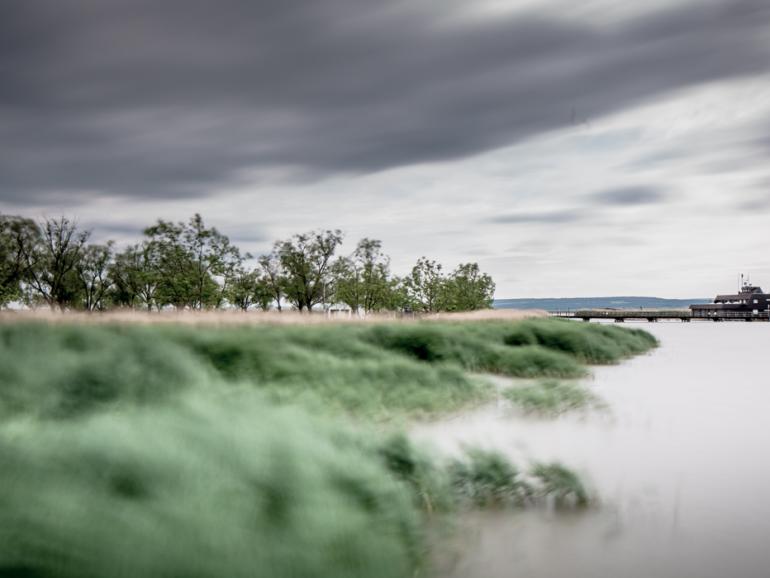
<point>680,462</point>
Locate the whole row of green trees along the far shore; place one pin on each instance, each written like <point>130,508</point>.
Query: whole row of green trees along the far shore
<point>187,265</point>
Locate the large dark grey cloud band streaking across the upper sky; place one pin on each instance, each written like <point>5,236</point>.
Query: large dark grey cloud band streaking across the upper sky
<point>175,98</point>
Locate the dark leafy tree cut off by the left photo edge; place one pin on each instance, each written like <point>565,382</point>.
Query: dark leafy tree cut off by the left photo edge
<point>18,237</point>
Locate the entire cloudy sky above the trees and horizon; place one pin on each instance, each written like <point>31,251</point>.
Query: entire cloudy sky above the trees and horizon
<point>570,148</point>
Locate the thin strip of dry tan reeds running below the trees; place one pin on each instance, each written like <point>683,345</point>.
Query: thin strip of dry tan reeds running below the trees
<point>248,318</point>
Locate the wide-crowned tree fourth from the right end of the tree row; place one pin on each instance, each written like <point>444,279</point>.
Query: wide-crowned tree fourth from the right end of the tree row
<point>306,262</point>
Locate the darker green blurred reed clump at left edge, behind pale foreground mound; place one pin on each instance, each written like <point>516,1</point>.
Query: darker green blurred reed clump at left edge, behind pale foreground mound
<point>68,370</point>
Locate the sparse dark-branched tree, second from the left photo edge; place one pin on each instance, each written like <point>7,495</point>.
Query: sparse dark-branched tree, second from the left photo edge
<point>51,264</point>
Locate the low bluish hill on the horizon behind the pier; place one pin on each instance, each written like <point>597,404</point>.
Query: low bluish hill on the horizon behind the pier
<point>571,303</point>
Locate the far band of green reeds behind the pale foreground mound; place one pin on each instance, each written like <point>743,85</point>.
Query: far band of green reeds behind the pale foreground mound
<point>371,370</point>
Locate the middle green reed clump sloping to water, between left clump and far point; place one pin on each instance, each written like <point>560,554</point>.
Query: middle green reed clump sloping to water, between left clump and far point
<point>332,367</point>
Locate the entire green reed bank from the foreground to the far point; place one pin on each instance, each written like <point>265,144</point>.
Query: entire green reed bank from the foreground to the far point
<point>161,450</point>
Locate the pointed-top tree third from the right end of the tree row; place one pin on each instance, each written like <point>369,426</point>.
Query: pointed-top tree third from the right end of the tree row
<point>362,281</point>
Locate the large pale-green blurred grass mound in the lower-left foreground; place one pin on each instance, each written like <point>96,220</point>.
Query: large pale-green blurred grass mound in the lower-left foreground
<point>205,488</point>
